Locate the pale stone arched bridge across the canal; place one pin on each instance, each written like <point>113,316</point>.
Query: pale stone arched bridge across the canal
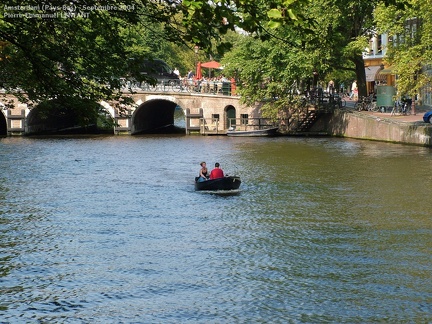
<point>203,113</point>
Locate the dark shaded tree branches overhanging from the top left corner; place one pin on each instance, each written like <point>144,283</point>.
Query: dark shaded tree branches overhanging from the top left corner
<point>81,49</point>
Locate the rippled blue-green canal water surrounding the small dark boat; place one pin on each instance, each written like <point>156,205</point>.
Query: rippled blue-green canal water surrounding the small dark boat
<point>109,229</point>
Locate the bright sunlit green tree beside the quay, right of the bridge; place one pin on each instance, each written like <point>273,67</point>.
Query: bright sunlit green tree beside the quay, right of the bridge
<point>330,36</point>
